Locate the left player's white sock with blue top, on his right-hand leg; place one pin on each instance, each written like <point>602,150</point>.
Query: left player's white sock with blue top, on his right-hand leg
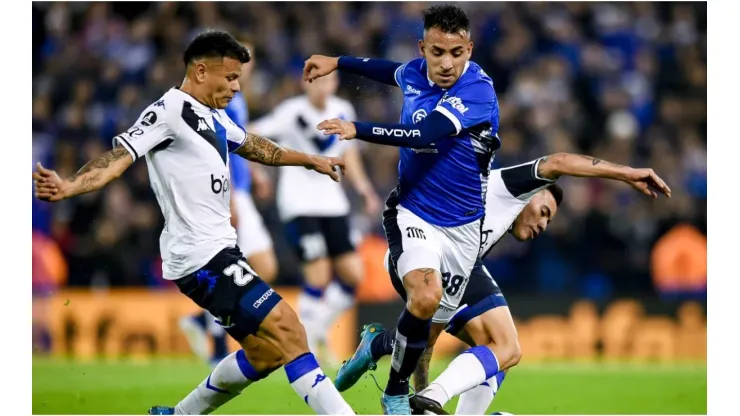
<point>314,387</point>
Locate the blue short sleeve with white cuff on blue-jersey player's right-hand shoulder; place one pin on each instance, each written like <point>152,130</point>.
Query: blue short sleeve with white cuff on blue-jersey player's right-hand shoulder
<point>469,105</point>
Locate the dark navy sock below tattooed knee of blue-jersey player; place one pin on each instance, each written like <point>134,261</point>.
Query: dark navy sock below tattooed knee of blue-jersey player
<point>412,337</point>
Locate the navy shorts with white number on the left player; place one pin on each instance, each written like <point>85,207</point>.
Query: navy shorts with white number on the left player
<point>232,292</point>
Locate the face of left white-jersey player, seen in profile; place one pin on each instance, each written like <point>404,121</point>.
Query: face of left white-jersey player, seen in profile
<point>220,79</point>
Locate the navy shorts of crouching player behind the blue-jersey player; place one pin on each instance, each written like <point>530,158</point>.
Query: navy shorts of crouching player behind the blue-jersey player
<point>481,295</point>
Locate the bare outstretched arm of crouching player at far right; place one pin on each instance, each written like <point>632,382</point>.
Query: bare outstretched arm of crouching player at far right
<point>567,164</point>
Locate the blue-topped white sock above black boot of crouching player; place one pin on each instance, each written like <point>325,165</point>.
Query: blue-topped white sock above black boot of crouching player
<point>472,367</point>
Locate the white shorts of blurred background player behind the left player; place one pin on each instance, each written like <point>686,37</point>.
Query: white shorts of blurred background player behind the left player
<point>251,234</point>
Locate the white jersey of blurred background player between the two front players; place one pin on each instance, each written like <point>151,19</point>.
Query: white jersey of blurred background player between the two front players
<point>293,124</point>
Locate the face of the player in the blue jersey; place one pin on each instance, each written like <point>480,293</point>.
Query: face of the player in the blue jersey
<point>446,55</point>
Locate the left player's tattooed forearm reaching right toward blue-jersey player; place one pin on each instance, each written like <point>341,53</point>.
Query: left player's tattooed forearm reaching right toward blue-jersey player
<point>266,152</point>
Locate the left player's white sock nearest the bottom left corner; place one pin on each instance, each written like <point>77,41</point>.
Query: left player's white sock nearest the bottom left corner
<point>232,375</point>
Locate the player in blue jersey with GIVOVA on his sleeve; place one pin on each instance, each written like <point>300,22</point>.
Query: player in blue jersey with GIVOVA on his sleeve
<point>448,136</point>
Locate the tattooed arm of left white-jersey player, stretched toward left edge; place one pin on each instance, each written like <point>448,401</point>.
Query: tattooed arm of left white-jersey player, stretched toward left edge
<point>94,175</point>
